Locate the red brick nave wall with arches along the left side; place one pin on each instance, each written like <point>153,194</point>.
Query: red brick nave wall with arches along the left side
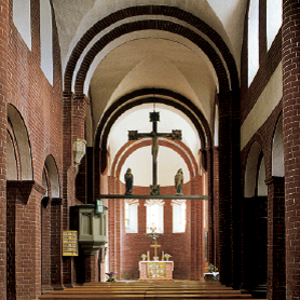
<point>40,105</point>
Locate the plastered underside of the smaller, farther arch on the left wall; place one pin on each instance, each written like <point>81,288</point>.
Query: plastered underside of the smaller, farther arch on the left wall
<point>51,179</point>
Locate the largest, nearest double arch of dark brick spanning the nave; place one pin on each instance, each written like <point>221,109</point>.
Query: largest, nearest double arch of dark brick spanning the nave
<point>157,24</point>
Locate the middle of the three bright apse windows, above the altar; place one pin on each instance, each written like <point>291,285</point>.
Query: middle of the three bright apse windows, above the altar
<point>155,215</point>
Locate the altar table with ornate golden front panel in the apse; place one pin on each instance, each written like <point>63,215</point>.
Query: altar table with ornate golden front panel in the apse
<point>156,270</point>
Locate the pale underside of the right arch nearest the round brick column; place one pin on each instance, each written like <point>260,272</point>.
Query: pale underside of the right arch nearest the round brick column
<point>277,151</point>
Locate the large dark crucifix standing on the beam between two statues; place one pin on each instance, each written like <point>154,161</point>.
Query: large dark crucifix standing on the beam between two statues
<point>134,135</point>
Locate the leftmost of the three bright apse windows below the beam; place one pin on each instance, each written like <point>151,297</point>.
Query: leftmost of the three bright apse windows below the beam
<point>131,215</point>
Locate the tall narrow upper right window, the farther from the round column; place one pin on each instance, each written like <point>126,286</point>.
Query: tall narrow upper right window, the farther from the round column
<point>253,40</point>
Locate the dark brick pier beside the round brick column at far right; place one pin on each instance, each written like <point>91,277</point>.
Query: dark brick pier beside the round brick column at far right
<point>276,239</point>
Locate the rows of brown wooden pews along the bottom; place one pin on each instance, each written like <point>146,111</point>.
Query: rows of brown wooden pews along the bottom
<point>149,290</point>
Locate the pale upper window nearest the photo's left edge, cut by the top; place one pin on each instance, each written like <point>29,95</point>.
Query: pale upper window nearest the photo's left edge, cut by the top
<point>21,19</point>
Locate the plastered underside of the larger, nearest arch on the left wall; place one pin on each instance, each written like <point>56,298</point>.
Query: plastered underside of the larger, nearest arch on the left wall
<point>22,142</point>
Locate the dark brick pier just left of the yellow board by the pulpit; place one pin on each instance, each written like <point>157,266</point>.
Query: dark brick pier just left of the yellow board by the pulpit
<point>56,244</point>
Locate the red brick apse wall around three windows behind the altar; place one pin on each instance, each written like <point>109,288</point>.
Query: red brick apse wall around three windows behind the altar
<point>187,248</point>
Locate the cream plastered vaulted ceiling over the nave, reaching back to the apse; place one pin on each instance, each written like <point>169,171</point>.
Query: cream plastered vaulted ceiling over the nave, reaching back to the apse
<point>133,50</point>
